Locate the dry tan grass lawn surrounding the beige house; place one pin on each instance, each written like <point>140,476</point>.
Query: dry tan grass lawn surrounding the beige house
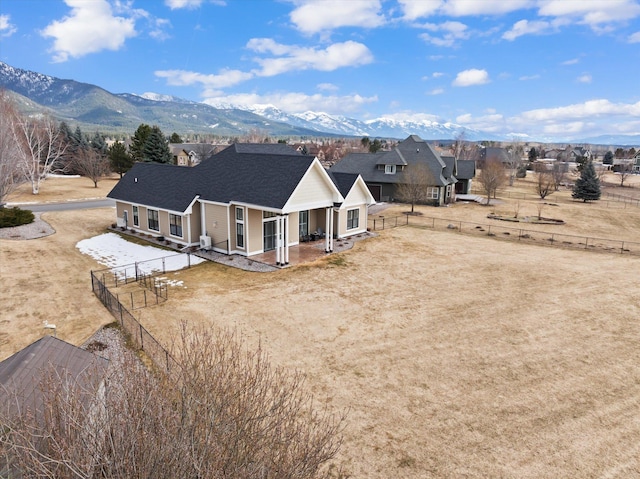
<point>457,356</point>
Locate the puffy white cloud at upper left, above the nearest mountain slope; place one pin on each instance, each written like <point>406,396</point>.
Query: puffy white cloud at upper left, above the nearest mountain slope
<point>90,28</point>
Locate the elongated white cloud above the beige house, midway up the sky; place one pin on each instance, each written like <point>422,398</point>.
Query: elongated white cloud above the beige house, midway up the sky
<point>338,55</point>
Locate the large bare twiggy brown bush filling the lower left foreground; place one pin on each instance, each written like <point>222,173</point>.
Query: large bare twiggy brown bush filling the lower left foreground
<point>230,414</point>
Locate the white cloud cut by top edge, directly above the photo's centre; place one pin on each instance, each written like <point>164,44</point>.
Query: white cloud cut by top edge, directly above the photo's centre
<point>315,16</point>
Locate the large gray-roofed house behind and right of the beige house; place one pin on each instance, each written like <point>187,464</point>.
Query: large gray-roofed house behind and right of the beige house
<point>382,171</point>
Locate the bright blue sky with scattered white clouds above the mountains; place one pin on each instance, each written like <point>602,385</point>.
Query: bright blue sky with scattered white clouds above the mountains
<point>544,68</point>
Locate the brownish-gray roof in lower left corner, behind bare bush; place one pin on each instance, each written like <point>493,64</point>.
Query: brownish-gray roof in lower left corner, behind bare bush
<point>21,374</point>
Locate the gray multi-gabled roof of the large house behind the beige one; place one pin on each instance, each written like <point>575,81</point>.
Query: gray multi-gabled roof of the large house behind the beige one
<point>412,150</point>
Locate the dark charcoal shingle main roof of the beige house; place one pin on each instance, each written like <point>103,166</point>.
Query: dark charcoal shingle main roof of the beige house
<point>241,173</point>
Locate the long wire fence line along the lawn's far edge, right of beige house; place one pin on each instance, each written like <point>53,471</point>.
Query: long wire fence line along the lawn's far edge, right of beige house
<point>508,233</point>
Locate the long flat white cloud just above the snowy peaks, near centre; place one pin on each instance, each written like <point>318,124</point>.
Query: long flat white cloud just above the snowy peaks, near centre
<point>296,102</point>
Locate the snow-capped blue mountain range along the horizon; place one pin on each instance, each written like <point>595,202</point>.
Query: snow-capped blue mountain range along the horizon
<point>94,108</point>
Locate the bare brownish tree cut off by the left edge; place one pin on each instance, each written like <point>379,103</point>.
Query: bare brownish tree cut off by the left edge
<point>10,174</point>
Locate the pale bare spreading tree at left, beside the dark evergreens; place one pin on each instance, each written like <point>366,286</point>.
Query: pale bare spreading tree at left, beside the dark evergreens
<point>41,146</point>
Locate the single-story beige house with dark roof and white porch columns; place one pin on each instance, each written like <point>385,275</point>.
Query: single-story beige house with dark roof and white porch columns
<point>246,199</point>
